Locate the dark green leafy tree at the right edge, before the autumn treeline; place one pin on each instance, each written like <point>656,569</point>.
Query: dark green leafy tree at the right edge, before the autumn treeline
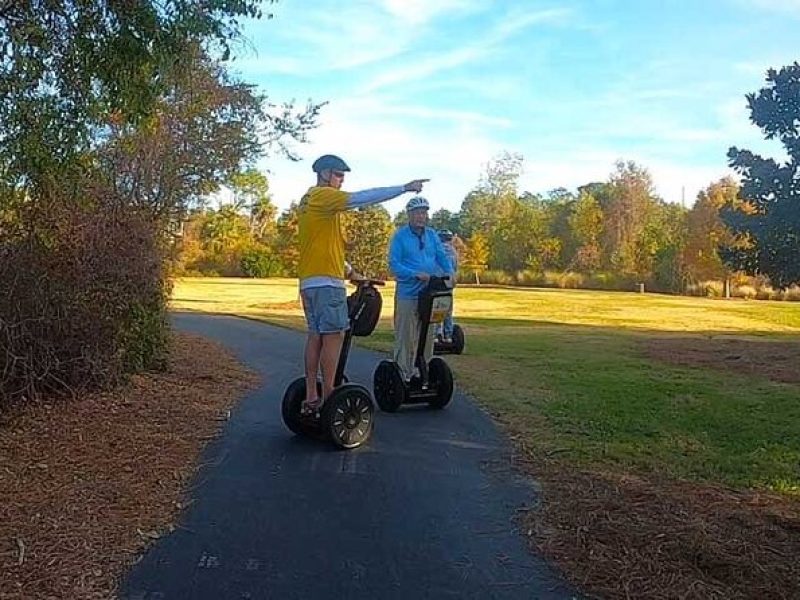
<point>768,225</point>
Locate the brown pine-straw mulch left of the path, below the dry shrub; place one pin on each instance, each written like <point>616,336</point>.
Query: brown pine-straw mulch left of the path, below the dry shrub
<point>86,484</point>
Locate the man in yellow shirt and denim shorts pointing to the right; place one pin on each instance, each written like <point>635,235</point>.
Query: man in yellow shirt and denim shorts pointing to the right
<point>322,267</point>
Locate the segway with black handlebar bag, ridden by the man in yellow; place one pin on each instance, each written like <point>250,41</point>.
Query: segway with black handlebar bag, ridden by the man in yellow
<point>346,416</point>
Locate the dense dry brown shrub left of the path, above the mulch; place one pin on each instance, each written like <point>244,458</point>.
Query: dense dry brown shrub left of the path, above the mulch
<point>83,299</point>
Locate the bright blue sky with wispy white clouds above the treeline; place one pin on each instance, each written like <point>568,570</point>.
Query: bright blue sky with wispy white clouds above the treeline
<point>436,88</point>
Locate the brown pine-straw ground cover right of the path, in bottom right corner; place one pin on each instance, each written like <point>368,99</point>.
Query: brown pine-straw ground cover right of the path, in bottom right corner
<point>625,537</point>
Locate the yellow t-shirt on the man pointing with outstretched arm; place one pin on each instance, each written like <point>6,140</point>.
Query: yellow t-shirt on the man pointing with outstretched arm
<point>321,233</point>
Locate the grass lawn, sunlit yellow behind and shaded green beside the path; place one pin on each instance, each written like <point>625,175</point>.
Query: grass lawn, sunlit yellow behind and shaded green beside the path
<point>566,370</point>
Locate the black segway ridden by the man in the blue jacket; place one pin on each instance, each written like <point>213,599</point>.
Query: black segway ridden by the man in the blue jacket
<point>434,384</point>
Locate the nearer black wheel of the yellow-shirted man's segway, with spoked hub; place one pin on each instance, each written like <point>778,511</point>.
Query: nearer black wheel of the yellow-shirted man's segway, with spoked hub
<point>349,416</point>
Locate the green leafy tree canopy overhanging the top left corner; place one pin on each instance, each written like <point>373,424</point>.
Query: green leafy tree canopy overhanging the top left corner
<point>67,66</point>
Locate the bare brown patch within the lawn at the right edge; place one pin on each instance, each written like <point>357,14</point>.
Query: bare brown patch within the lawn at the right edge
<point>775,360</point>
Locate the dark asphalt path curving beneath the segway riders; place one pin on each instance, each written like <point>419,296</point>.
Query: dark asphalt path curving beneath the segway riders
<point>427,509</point>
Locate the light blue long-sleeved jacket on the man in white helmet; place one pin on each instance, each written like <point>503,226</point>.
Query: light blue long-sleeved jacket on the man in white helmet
<point>410,254</point>
